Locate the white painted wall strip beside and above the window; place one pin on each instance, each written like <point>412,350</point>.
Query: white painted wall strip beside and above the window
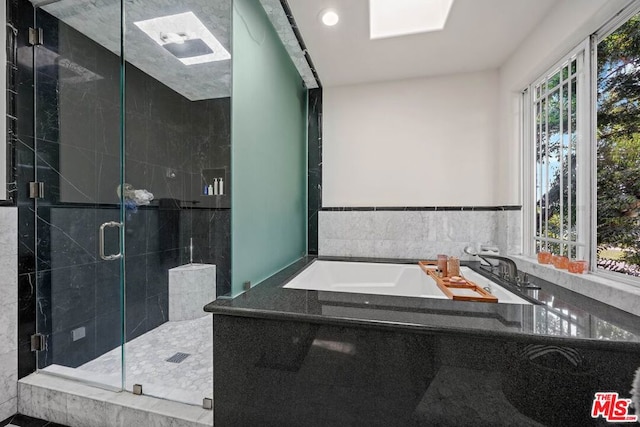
<point>569,23</point>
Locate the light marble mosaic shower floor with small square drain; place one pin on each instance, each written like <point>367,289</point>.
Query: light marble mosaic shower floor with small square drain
<point>189,381</point>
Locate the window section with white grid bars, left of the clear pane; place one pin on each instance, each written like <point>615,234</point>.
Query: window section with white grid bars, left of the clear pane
<point>559,136</point>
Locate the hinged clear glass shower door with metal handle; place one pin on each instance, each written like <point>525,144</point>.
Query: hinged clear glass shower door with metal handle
<point>78,170</point>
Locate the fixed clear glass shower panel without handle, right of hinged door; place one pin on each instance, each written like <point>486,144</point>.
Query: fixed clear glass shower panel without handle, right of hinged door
<point>177,218</point>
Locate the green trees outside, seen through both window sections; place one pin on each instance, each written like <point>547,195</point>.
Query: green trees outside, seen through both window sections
<point>618,144</point>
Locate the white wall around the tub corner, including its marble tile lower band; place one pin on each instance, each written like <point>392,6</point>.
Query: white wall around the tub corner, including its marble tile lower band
<point>446,141</point>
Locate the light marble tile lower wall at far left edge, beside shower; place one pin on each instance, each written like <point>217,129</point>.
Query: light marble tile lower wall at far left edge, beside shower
<point>8,311</point>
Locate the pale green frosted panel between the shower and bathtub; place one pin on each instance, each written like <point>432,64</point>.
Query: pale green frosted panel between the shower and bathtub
<point>268,151</point>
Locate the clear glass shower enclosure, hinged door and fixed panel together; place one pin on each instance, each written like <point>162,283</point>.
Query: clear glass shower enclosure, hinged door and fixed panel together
<point>132,184</point>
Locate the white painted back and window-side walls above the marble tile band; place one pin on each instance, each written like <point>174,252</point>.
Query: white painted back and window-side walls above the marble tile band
<point>381,139</point>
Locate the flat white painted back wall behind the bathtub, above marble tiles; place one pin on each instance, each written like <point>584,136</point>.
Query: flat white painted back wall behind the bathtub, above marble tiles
<point>417,142</point>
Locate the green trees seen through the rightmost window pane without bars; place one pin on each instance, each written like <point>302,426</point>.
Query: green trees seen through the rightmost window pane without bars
<point>618,139</point>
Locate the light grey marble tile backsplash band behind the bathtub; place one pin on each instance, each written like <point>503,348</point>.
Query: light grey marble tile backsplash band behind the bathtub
<point>416,234</point>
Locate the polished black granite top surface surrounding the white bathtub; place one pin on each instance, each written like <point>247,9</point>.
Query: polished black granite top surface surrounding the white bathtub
<point>559,314</point>
